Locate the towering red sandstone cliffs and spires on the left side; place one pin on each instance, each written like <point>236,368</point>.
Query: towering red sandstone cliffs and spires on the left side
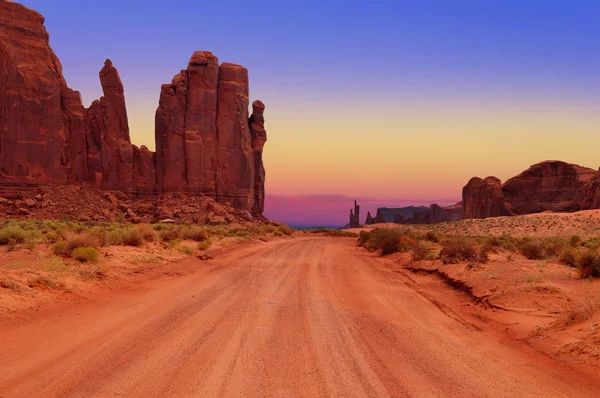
<point>205,141</point>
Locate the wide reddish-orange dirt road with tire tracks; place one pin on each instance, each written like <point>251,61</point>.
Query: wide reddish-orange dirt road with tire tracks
<point>300,317</point>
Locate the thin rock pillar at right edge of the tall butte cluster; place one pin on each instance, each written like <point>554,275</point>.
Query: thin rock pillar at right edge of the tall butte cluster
<point>259,138</point>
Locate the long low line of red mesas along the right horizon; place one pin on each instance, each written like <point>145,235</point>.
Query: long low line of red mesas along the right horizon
<point>551,185</point>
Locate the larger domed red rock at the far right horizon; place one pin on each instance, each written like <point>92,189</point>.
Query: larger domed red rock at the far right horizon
<point>549,185</point>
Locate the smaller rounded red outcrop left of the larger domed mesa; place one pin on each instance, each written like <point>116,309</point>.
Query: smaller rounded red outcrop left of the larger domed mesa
<point>482,198</point>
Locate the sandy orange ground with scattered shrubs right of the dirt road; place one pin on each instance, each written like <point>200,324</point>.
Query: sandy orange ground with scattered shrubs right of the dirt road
<point>546,287</point>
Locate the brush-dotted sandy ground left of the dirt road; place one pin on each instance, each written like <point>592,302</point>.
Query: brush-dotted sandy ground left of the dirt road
<point>60,255</point>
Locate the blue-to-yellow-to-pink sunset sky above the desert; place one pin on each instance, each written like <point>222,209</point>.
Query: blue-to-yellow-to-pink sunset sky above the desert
<point>391,103</point>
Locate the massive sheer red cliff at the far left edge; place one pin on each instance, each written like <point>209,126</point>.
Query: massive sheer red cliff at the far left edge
<point>41,120</point>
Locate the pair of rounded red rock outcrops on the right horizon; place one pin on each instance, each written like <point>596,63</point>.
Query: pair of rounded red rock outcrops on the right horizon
<point>547,186</point>
